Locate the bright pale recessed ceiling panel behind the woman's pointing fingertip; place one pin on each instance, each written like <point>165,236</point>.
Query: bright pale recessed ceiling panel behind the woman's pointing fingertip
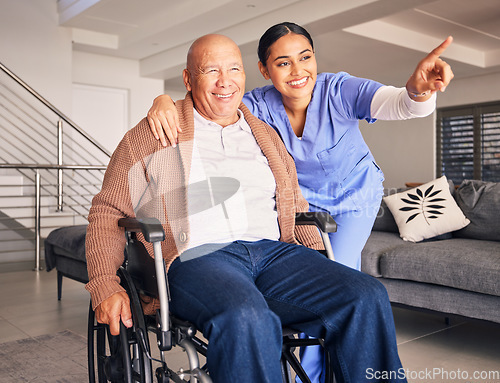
<point>395,35</point>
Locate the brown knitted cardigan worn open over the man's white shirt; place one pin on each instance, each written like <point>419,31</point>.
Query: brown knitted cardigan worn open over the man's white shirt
<point>141,169</point>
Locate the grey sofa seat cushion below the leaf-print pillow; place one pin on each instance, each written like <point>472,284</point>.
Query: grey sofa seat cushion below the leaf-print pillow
<point>466,264</point>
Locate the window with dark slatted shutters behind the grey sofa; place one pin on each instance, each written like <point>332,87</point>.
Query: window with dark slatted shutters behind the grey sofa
<point>468,142</point>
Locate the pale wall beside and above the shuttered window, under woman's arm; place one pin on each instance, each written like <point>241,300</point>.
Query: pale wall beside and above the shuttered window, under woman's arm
<point>405,150</point>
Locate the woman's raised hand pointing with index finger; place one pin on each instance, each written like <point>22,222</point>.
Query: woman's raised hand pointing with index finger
<point>431,75</point>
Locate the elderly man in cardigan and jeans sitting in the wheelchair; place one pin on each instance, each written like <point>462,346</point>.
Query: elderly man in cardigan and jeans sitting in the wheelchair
<point>236,265</point>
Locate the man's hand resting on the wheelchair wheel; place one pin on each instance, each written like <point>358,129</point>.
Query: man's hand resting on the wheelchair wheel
<point>111,310</point>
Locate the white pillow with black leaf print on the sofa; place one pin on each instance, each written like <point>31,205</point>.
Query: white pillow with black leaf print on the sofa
<point>426,211</point>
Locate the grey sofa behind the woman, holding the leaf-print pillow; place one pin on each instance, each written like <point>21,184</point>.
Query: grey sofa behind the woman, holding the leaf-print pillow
<point>457,273</point>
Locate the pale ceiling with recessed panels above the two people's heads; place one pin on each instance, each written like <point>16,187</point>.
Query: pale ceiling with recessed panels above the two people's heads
<point>378,39</point>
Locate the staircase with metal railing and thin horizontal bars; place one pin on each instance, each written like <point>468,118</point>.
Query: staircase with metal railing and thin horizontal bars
<point>50,169</point>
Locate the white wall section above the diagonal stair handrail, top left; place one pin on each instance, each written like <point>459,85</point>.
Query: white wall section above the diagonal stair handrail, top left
<point>36,49</point>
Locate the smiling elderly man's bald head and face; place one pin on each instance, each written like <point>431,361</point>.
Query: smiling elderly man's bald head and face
<point>216,78</point>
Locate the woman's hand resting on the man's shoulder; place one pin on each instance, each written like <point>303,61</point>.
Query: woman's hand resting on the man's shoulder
<point>164,120</point>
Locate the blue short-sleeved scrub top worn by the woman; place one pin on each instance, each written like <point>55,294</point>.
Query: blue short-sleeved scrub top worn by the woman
<point>336,170</point>
